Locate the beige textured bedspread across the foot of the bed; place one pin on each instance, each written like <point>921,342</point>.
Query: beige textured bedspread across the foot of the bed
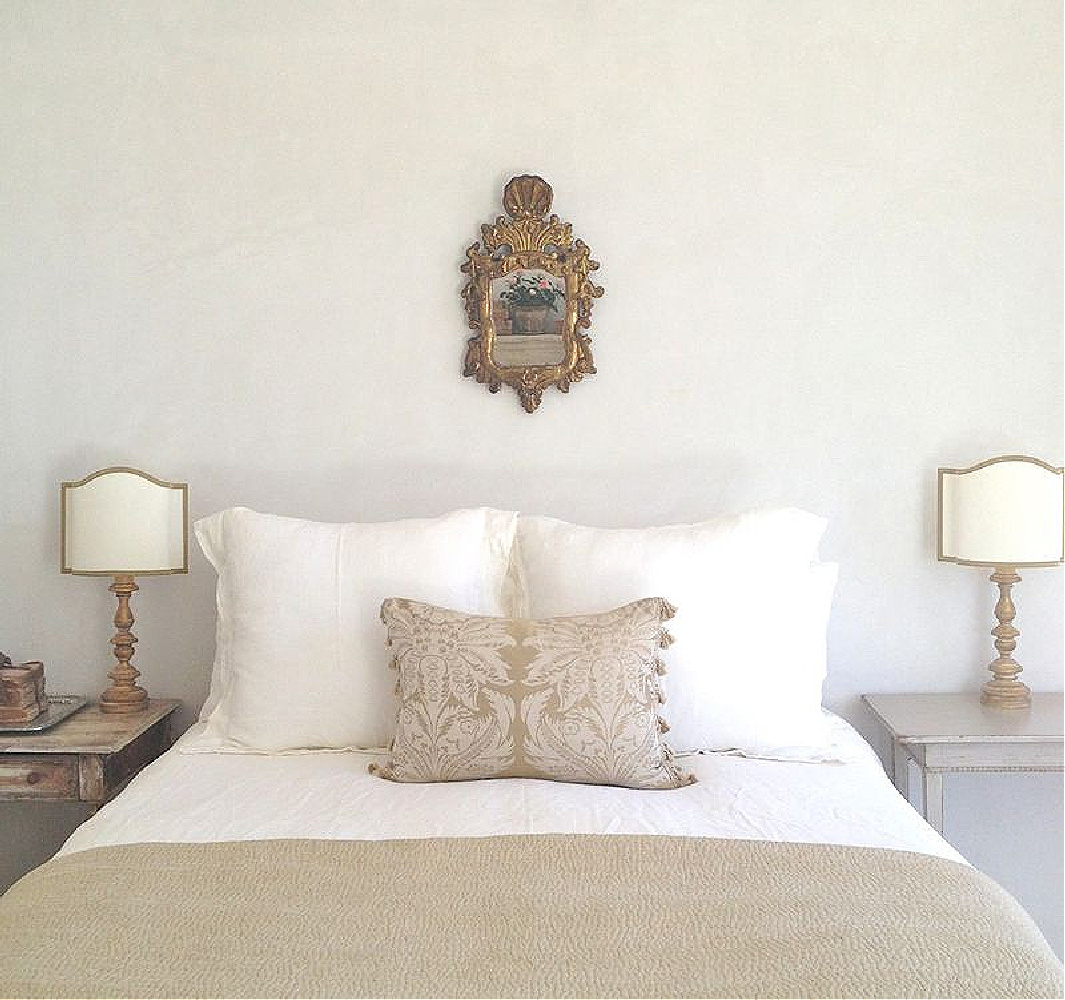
<point>516,916</point>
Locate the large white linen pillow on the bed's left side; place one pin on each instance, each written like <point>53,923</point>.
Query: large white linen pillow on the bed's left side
<point>300,661</point>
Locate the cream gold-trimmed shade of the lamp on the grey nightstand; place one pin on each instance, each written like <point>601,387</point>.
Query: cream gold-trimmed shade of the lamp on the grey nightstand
<point>1005,512</point>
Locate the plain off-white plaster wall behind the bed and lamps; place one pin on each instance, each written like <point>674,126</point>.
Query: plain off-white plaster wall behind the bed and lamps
<point>831,238</point>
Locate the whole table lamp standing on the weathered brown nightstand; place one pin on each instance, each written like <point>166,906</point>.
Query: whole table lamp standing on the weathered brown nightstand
<point>124,523</point>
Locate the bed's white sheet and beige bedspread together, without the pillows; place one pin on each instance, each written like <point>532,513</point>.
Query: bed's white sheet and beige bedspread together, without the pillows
<point>223,875</point>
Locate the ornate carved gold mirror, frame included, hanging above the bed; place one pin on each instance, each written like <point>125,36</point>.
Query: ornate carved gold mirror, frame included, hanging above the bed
<point>529,298</point>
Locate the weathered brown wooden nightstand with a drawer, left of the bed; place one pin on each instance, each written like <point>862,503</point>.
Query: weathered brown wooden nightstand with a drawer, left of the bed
<point>88,758</point>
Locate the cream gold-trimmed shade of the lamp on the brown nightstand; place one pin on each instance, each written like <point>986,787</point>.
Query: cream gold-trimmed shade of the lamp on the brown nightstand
<point>123,521</point>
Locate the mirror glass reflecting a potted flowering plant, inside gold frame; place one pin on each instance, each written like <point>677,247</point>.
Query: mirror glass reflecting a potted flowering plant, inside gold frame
<point>529,309</point>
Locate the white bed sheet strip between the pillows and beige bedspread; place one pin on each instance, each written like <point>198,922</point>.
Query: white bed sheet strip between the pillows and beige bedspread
<point>198,797</point>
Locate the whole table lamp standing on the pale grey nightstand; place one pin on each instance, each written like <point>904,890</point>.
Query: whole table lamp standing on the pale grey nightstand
<point>1006,513</point>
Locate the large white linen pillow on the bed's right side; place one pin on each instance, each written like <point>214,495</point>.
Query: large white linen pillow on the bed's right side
<point>752,606</point>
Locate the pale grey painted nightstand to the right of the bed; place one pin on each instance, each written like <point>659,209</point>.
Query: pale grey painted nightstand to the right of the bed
<point>944,733</point>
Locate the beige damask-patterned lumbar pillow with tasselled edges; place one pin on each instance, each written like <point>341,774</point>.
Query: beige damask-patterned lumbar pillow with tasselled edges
<point>567,699</point>
